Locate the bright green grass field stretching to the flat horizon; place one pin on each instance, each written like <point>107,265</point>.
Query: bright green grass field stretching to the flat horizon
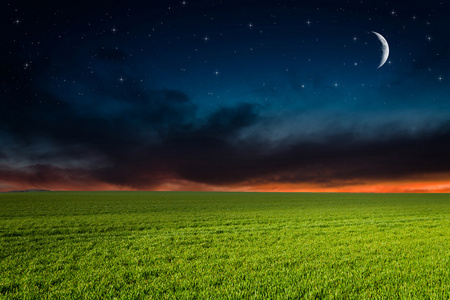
<point>175,245</point>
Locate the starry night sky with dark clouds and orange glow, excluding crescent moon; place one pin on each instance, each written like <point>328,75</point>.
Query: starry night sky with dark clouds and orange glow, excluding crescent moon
<point>225,96</point>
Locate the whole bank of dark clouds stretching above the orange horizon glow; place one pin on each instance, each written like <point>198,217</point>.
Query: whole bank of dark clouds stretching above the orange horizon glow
<point>158,138</point>
